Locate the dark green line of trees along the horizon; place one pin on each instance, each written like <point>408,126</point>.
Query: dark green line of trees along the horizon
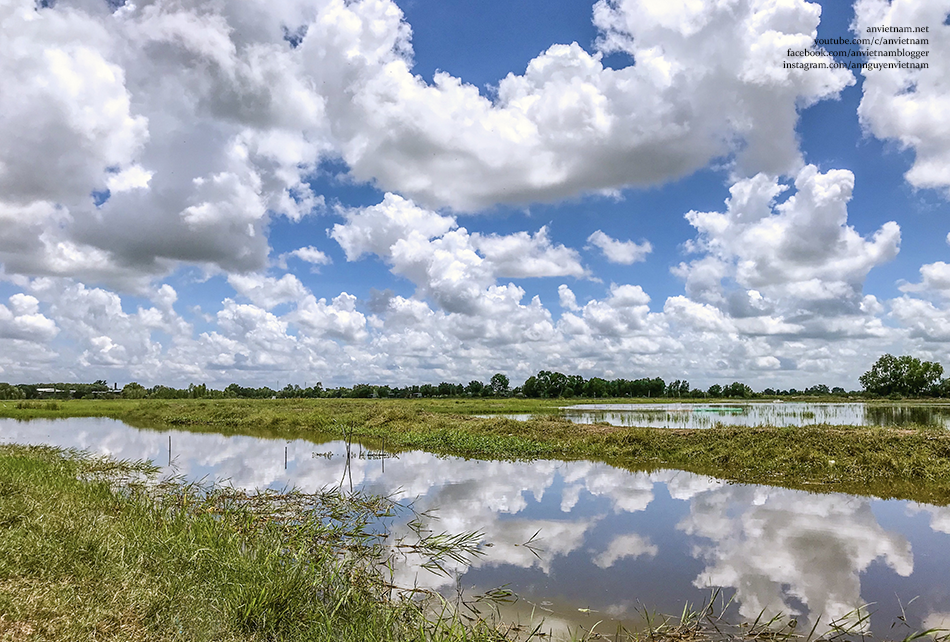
<point>890,376</point>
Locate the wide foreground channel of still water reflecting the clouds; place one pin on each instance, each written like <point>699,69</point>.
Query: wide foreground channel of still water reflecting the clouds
<point>608,541</point>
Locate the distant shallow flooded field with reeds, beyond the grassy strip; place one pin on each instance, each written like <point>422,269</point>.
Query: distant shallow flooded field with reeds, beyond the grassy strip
<point>684,415</point>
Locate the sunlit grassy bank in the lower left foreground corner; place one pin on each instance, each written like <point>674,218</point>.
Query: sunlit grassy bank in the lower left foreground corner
<point>84,559</point>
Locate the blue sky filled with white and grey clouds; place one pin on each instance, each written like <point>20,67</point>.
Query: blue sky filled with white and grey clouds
<point>415,191</point>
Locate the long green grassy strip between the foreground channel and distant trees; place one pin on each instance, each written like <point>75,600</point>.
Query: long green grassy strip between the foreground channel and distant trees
<point>902,463</point>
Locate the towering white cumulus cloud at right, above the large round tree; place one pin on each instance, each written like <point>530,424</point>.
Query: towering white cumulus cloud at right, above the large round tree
<point>796,261</point>
